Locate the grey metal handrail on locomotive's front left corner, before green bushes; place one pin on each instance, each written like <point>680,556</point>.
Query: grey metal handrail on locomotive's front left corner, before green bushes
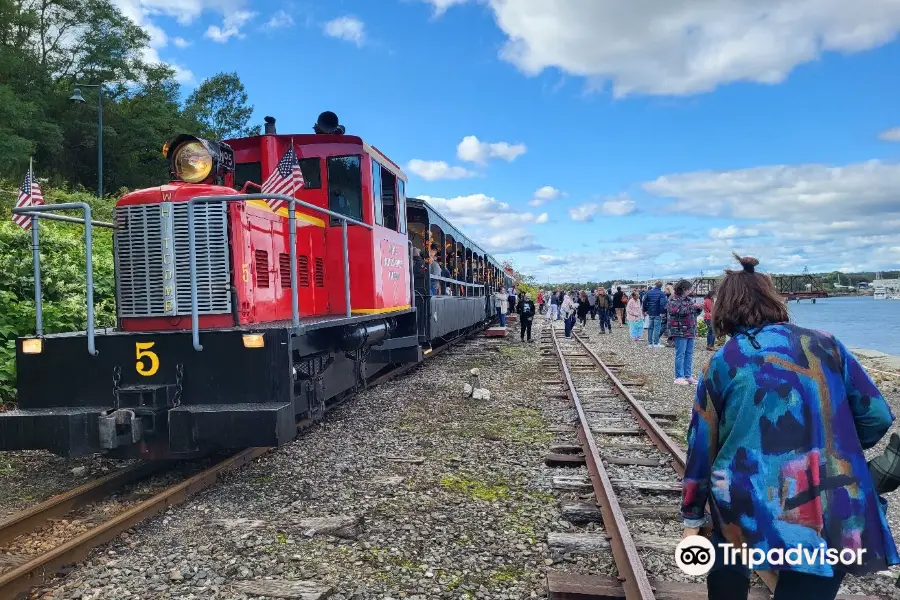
<point>89,224</point>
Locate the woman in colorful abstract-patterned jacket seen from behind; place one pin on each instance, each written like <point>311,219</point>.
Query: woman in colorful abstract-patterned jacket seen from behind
<point>775,447</point>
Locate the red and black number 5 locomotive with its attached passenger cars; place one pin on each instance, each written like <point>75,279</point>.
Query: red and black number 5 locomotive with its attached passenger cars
<point>232,324</point>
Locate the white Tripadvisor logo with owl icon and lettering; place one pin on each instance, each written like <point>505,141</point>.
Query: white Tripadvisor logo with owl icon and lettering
<point>696,555</point>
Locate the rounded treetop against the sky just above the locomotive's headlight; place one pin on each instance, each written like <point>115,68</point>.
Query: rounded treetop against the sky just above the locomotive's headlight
<point>220,108</point>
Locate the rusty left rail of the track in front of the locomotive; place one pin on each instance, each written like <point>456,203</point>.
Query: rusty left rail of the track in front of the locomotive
<point>33,517</point>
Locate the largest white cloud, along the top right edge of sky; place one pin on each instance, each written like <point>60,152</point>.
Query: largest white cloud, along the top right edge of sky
<point>686,47</point>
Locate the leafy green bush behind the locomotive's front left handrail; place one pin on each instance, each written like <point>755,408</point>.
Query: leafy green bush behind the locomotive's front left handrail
<point>62,278</point>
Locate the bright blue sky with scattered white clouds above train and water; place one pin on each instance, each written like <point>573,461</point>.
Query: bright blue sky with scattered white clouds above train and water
<point>593,139</point>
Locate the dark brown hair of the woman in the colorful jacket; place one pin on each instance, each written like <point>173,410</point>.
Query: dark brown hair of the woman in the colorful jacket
<point>747,299</point>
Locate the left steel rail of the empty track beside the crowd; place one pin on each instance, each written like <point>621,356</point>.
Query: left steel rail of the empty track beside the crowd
<point>628,561</point>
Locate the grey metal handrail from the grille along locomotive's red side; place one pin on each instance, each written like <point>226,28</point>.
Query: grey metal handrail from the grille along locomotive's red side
<point>292,226</point>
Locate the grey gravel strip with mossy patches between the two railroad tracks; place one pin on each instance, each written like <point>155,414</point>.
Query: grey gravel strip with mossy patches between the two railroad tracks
<point>441,496</point>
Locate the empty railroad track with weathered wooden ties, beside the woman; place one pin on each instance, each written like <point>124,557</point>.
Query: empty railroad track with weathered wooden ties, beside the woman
<point>635,467</point>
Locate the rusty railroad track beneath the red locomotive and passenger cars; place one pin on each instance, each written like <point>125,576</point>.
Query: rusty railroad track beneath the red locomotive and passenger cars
<point>21,573</point>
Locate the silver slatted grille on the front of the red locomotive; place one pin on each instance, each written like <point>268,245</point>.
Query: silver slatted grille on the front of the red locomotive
<point>153,274</point>
